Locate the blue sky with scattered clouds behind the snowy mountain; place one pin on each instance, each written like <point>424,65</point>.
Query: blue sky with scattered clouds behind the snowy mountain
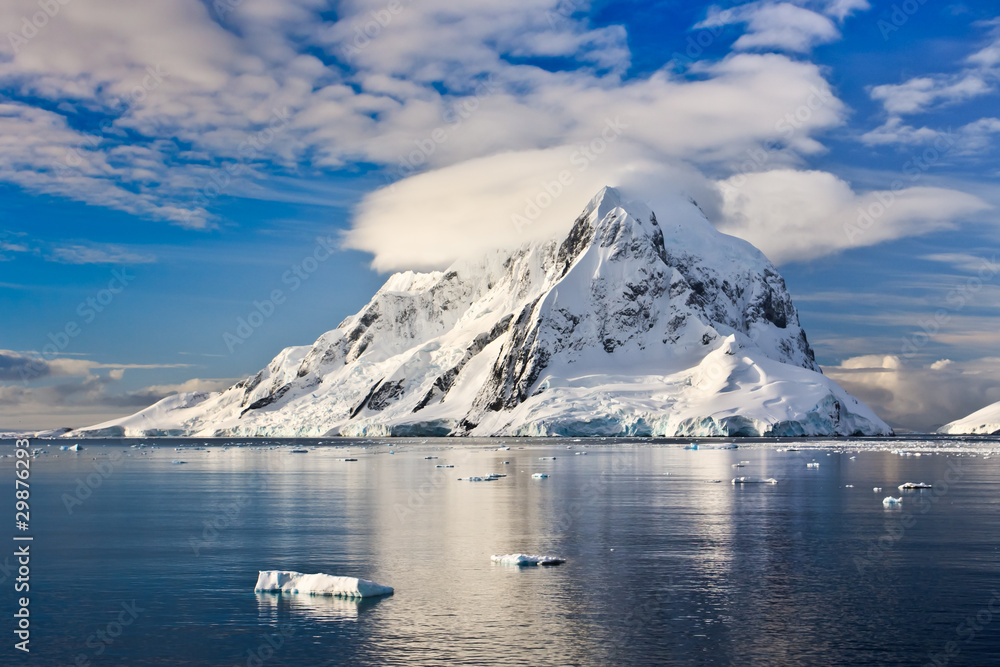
<point>208,154</point>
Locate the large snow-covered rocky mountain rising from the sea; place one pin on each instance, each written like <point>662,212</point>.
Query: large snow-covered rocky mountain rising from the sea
<point>628,326</point>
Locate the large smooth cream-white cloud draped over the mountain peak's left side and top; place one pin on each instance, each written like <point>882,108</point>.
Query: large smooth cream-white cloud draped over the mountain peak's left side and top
<point>430,220</point>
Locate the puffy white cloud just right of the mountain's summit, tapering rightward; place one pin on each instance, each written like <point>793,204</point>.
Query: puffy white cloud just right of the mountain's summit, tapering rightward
<point>800,215</point>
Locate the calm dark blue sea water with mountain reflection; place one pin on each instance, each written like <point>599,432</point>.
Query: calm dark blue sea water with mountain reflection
<point>141,561</point>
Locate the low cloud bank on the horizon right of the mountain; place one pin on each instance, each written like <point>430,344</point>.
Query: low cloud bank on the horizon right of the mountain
<point>920,397</point>
